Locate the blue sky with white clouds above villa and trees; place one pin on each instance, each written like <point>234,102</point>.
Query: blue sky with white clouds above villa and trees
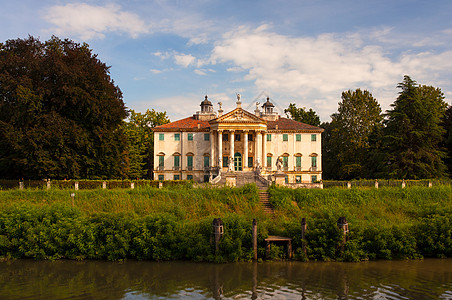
<point>166,55</point>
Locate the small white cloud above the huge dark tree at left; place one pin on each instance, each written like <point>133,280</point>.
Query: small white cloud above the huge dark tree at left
<point>89,21</point>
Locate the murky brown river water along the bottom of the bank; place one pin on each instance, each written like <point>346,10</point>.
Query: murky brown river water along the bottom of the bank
<point>136,280</point>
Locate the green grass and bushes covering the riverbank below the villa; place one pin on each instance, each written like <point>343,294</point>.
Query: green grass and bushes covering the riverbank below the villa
<point>174,223</point>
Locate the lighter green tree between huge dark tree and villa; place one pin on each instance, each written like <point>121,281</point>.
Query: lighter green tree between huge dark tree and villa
<point>140,150</point>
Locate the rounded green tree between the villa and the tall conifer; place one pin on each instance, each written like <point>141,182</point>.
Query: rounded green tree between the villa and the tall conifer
<point>358,116</point>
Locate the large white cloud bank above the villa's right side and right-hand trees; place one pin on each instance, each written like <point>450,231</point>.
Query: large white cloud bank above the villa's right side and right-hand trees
<point>317,69</point>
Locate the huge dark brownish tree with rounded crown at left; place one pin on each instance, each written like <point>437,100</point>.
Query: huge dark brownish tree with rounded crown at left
<point>60,112</point>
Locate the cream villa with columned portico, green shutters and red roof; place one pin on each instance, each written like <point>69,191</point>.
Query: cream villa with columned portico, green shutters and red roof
<point>201,146</point>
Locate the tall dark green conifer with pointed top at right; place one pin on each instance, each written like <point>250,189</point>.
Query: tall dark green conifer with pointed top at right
<point>413,133</point>
